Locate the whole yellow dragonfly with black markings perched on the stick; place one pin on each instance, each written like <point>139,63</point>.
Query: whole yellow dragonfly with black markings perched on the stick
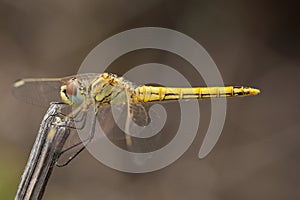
<point>98,91</point>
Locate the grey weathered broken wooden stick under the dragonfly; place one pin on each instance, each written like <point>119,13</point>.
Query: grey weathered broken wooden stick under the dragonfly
<point>43,156</point>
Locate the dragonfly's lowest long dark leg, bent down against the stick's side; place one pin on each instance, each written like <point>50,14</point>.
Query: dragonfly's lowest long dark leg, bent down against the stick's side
<point>84,143</point>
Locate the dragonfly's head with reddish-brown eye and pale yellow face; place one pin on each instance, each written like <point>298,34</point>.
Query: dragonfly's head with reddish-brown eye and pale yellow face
<point>72,92</point>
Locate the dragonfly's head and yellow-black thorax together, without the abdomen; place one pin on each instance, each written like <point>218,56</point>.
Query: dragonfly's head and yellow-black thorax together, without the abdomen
<point>102,90</point>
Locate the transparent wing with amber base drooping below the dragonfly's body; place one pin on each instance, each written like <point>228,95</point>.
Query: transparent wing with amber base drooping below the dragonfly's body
<point>118,124</point>
